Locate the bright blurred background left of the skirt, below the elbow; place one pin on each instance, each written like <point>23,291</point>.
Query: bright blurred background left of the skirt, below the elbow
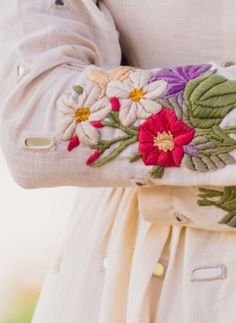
<point>32,223</point>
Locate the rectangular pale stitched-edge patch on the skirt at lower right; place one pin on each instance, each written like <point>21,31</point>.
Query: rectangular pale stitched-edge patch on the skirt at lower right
<point>208,273</point>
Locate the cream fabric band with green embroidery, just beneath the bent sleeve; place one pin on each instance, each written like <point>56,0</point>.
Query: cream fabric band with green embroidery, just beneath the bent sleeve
<point>179,206</point>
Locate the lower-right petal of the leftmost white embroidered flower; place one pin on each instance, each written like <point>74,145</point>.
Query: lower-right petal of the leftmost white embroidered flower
<point>87,134</point>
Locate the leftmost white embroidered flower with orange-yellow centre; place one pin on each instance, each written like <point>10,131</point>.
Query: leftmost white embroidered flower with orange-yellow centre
<point>80,112</point>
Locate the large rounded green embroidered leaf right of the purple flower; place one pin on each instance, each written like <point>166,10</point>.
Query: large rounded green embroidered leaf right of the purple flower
<point>209,100</point>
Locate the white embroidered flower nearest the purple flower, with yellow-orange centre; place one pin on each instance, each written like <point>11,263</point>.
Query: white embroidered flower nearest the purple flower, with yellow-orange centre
<point>137,101</point>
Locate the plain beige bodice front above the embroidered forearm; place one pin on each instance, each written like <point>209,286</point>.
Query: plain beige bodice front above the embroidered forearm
<point>164,33</point>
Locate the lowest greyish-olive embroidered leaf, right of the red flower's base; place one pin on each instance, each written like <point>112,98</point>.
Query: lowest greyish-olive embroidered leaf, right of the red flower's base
<point>203,163</point>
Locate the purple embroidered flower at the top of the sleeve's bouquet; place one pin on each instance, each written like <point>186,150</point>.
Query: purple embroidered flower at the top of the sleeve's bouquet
<point>177,78</point>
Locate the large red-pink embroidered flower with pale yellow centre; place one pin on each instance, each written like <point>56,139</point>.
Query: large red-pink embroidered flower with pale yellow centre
<point>162,138</point>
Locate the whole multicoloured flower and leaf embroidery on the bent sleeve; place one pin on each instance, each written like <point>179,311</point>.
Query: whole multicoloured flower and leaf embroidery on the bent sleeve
<point>174,117</point>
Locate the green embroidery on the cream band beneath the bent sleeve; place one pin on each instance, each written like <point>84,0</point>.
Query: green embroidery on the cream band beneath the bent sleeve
<point>224,199</point>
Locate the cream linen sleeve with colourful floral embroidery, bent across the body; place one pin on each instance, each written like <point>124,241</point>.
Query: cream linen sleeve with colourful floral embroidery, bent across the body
<point>72,115</point>
